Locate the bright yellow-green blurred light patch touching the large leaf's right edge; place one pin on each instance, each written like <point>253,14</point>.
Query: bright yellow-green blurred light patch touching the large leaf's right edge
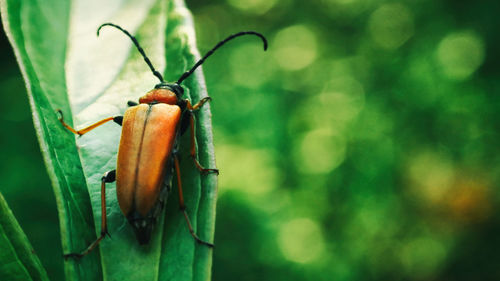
<point>247,170</point>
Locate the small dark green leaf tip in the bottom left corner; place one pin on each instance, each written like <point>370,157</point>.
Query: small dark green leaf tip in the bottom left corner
<point>17,258</point>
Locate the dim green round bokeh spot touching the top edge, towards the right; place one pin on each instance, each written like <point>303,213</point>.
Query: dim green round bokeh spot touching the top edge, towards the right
<point>391,25</point>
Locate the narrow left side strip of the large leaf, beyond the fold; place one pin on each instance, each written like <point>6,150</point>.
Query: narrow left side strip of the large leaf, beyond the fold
<point>38,34</point>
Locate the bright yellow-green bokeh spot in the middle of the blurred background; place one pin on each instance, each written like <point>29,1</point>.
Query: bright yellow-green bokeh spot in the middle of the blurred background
<point>320,152</point>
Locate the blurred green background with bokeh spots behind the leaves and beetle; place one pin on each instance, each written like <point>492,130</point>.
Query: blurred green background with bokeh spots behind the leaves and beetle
<point>363,145</point>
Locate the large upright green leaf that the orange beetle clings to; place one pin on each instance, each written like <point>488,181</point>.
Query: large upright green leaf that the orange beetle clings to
<point>66,66</point>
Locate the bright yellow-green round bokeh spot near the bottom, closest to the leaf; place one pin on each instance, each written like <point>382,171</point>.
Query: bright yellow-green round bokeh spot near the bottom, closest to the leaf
<point>301,240</point>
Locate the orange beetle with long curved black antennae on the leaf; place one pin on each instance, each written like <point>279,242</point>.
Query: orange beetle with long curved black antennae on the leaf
<point>148,150</point>
